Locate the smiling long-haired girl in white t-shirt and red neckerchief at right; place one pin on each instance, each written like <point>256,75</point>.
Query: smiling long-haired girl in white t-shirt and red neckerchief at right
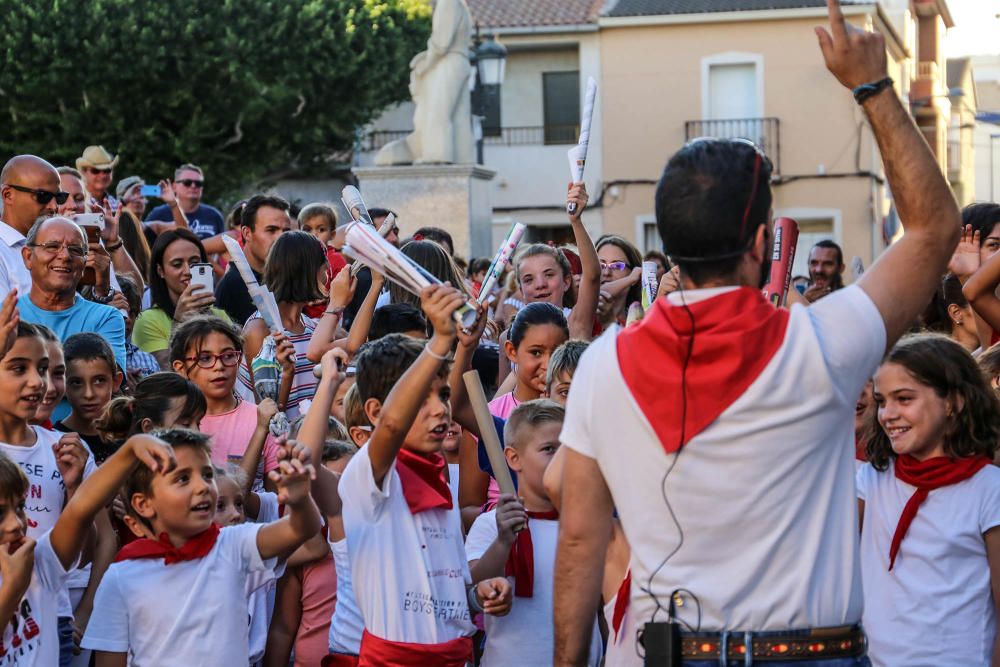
<point>930,505</point>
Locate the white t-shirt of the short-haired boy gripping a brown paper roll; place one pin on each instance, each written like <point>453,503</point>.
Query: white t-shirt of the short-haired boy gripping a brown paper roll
<point>525,636</point>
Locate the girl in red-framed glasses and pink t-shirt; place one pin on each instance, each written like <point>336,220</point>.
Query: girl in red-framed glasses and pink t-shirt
<point>207,351</point>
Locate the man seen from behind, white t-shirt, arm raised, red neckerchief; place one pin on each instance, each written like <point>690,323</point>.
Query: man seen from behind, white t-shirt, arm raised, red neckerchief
<point>730,456</point>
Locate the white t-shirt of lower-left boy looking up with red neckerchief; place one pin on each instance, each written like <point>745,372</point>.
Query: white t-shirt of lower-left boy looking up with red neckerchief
<point>185,614</point>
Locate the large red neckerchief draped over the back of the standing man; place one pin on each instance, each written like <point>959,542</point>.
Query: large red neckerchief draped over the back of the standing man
<point>736,334</point>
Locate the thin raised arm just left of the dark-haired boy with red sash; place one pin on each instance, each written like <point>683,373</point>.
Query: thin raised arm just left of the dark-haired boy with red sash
<point>312,435</point>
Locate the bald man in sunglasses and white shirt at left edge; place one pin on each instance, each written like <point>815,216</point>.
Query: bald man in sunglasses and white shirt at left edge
<point>29,189</point>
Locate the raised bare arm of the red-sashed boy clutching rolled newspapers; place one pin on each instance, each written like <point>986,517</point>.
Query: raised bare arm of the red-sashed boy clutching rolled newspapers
<point>404,401</point>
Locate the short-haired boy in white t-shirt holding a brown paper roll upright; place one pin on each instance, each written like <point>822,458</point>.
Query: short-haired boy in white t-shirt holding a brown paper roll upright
<point>519,540</point>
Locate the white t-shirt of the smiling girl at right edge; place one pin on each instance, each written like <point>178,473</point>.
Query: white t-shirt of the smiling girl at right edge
<point>935,607</point>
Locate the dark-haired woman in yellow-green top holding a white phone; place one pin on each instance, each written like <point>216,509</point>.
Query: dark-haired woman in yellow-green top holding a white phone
<point>173,296</point>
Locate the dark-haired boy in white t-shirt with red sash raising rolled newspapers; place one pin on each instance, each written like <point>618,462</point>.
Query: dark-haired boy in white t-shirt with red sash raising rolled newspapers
<point>404,536</point>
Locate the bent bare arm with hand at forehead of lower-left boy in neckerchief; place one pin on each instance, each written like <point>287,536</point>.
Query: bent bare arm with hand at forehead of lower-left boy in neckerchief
<point>97,491</point>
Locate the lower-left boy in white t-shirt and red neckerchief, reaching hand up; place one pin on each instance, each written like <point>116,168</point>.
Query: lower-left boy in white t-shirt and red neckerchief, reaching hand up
<point>181,599</point>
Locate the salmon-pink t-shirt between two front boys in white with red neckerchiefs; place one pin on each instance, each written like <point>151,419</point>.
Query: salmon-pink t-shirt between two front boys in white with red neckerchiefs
<point>319,597</point>
